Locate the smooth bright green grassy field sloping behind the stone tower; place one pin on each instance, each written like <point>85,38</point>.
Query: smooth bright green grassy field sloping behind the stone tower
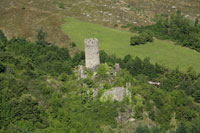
<point>117,42</point>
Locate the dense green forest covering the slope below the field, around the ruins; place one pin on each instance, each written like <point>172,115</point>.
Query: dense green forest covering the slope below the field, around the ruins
<point>40,91</point>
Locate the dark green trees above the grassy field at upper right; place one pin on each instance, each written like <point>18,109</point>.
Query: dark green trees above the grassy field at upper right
<point>176,28</point>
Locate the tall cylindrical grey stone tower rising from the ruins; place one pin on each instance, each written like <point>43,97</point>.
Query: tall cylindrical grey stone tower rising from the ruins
<point>92,53</point>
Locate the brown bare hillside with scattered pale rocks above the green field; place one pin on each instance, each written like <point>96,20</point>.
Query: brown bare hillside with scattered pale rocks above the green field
<point>25,17</point>
